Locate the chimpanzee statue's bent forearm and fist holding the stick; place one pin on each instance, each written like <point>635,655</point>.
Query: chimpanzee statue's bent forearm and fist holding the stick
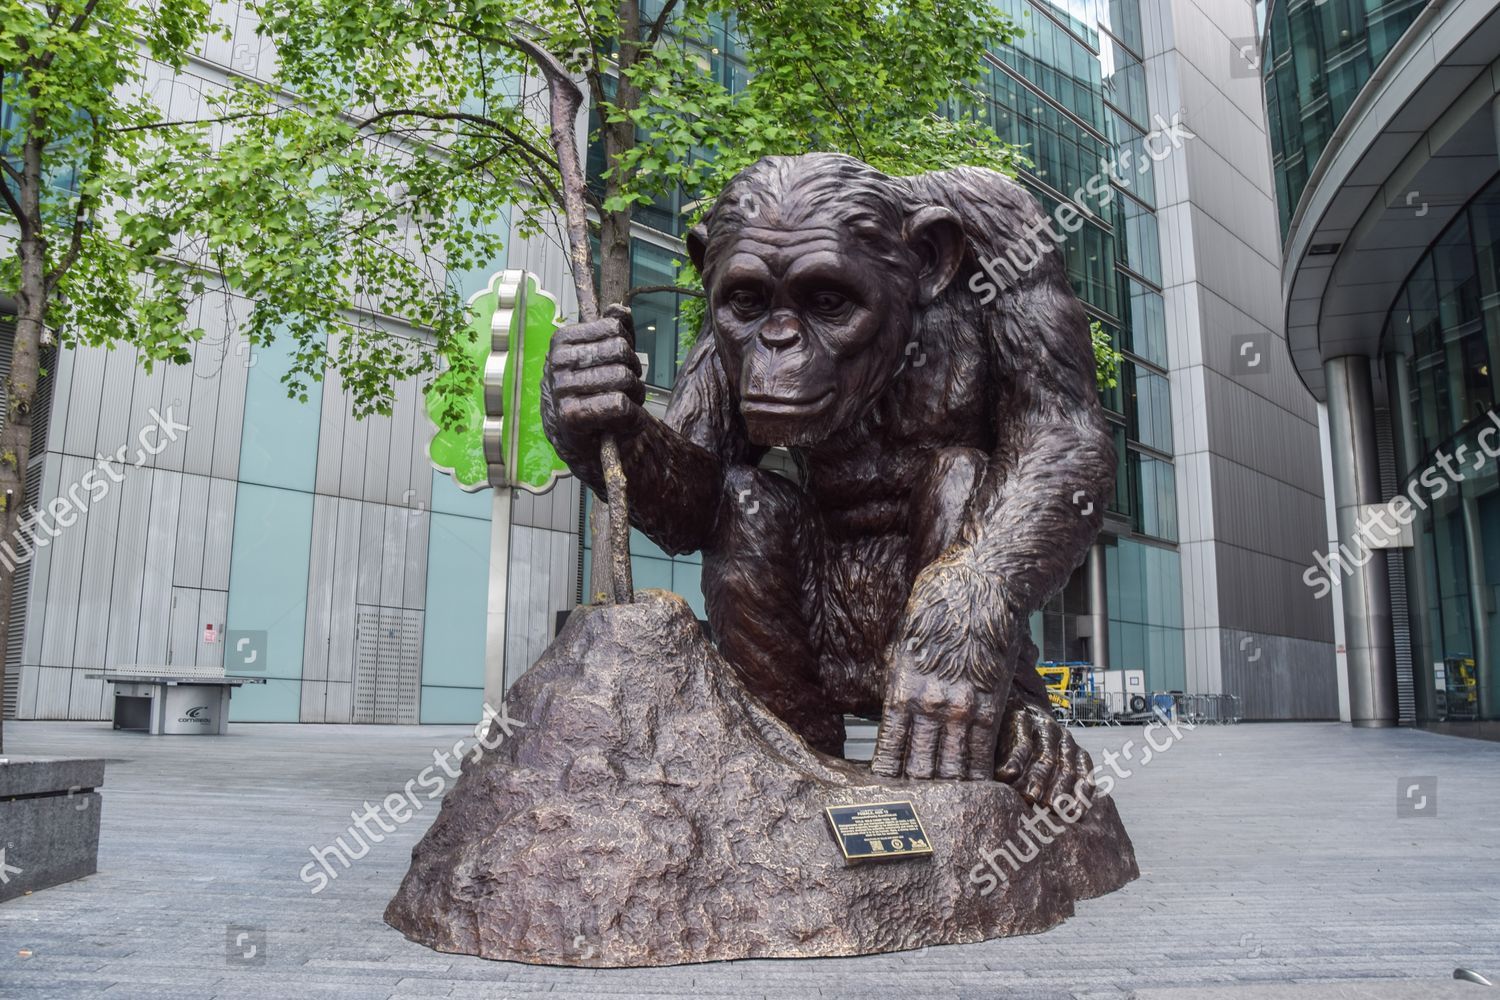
<point>674,467</point>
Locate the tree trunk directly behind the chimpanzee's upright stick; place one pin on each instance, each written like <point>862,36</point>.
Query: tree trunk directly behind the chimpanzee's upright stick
<point>614,245</point>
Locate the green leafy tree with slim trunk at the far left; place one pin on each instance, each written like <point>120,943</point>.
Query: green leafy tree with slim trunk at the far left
<point>80,265</point>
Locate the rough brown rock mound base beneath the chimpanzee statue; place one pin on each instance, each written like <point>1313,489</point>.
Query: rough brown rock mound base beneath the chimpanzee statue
<point>649,812</point>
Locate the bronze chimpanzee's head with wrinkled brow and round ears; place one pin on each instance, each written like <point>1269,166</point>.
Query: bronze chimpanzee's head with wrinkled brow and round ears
<point>817,269</point>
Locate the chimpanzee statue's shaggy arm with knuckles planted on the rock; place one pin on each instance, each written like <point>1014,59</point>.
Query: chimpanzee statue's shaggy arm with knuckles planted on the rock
<point>1030,524</point>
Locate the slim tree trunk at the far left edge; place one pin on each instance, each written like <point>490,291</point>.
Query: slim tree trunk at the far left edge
<point>16,433</point>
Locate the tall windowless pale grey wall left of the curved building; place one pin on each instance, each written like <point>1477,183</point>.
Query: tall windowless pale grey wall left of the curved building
<point>1250,494</point>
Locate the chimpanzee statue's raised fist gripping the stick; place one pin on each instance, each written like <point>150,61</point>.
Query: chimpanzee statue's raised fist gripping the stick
<point>592,385</point>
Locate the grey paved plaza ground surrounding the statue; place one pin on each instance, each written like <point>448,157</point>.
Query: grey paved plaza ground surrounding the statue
<point>1270,854</point>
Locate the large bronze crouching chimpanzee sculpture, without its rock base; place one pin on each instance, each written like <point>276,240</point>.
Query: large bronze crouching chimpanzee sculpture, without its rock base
<point>953,455</point>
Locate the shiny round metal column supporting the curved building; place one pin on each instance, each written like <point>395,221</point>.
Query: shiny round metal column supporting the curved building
<point>1367,588</point>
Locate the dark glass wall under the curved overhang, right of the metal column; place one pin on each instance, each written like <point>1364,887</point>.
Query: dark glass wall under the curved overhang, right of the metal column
<point>1445,331</point>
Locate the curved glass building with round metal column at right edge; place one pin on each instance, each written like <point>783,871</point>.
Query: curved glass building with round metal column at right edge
<point>1384,134</point>
